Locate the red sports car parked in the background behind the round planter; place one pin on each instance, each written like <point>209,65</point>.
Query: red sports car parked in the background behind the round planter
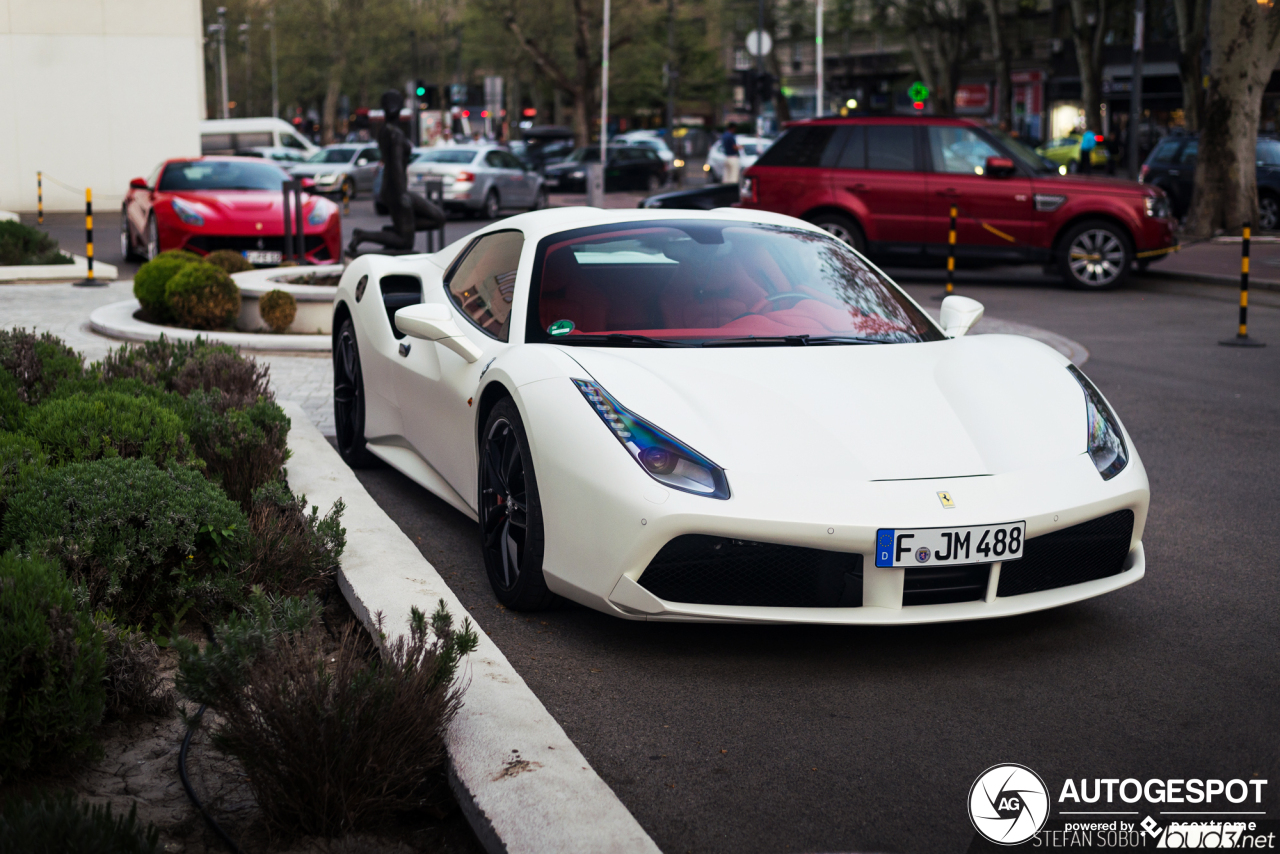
<point>171,212</point>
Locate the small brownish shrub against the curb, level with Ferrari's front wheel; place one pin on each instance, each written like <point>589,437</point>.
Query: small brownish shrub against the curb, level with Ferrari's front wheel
<point>292,551</point>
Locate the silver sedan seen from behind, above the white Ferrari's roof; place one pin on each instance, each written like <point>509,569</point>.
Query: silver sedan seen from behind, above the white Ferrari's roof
<point>479,180</point>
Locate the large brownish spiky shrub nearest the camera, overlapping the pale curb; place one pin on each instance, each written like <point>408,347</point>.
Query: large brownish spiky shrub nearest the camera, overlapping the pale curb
<point>331,741</point>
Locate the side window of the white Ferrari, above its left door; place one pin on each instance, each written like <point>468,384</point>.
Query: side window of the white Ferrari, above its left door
<point>484,281</point>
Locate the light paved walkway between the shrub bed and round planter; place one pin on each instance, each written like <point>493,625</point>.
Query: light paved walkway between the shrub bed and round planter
<point>63,310</point>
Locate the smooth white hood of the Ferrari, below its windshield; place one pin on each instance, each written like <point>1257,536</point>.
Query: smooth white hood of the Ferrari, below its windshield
<point>981,405</point>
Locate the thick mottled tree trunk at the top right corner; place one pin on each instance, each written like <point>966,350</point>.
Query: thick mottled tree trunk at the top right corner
<point>1245,36</point>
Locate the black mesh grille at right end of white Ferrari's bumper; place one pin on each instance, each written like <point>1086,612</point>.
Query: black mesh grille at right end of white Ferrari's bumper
<point>1085,552</point>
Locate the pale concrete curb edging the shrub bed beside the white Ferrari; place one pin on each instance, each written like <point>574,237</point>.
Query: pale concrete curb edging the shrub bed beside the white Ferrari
<point>522,782</point>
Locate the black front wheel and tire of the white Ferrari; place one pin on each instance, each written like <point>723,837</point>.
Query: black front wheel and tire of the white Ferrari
<point>511,515</point>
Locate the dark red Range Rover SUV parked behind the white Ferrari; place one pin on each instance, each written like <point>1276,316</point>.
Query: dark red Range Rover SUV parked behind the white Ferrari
<point>886,185</point>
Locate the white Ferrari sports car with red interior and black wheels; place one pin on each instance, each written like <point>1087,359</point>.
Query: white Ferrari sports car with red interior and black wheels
<point>732,417</point>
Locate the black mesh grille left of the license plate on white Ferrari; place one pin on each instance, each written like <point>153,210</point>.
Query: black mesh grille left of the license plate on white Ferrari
<point>697,569</point>
